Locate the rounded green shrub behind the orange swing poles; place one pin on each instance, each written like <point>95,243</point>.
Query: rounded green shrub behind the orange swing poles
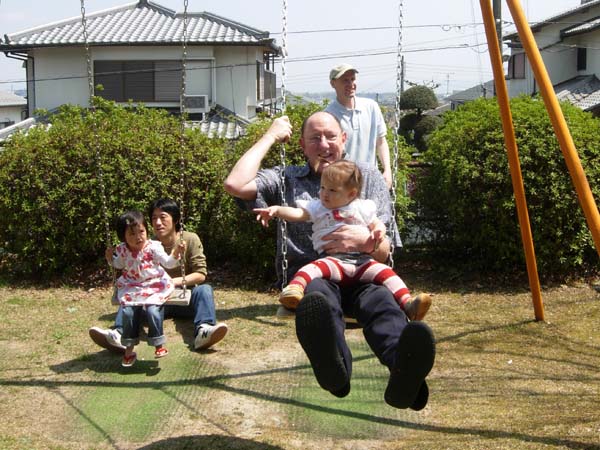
<point>468,189</point>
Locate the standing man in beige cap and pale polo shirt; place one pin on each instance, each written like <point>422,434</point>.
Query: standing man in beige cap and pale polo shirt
<point>362,121</point>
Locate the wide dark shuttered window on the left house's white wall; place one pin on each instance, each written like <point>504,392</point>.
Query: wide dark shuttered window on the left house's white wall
<point>140,81</point>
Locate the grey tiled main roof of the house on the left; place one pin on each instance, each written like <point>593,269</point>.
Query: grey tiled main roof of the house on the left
<point>140,23</point>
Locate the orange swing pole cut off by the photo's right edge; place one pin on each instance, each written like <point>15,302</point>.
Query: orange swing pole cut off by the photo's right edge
<point>565,140</point>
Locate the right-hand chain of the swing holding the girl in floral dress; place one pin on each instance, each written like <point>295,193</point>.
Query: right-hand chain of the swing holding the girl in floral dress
<point>182,165</point>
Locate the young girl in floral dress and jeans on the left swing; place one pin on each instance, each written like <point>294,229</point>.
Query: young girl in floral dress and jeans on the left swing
<point>143,284</point>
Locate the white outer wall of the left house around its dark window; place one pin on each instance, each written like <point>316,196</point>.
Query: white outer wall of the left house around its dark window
<point>227,74</point>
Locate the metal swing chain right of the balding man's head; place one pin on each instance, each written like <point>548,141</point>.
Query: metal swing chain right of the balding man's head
<point>399,69</point>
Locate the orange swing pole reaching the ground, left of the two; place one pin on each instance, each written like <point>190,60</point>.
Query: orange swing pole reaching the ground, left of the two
<point>513,157</point>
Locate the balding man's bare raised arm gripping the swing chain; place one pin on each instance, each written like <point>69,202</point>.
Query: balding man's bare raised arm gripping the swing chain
<point>241,180</point>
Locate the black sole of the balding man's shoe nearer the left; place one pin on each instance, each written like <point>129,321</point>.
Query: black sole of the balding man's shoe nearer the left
<point>316,333</point>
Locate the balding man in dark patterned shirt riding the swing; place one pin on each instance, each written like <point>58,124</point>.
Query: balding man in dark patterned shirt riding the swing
<point>406,348</point>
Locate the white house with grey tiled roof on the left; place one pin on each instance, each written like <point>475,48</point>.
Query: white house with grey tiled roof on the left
<point>136,53</point>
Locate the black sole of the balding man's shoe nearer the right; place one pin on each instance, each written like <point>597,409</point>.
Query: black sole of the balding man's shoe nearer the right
<point>415,354</point>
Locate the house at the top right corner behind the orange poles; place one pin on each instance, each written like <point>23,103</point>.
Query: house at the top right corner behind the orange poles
<point>568,46</point>
